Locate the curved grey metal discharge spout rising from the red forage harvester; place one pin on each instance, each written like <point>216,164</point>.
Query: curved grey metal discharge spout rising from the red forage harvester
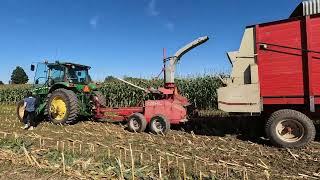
<point>170,70</point>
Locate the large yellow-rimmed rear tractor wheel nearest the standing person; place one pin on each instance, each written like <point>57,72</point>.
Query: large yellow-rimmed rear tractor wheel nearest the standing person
<point>62,106</point>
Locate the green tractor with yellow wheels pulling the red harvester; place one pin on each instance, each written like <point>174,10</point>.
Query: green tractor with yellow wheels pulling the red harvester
<point>64,92</point>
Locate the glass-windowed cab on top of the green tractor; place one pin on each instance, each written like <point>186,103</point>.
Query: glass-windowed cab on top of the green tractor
<point>49,74</point>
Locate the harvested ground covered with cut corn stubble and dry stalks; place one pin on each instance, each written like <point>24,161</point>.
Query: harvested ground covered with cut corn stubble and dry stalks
<point>101,150</point>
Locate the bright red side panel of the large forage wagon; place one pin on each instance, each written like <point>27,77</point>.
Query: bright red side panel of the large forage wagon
<point>290,67</point>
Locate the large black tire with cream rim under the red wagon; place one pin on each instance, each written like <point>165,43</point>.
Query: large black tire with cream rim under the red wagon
<point>290,129</point>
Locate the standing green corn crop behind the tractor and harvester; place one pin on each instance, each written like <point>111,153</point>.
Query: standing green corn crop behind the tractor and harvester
<point>201,91</point>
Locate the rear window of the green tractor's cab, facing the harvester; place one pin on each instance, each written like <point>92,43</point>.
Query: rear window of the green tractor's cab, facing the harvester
<point>78,75</point>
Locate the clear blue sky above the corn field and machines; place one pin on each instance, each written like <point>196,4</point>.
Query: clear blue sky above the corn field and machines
<point>126,37</point>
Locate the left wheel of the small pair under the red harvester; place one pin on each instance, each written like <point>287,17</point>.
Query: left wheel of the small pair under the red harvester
<point>137,123</point>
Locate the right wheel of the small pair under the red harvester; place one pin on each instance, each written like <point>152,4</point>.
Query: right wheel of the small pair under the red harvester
<point>159,124</point>
